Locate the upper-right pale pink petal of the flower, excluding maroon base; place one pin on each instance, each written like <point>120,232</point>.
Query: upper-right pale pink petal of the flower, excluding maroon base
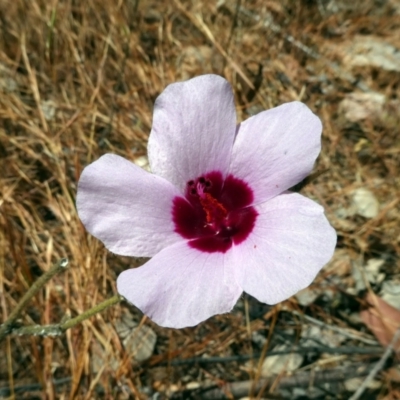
<point>276,149</point>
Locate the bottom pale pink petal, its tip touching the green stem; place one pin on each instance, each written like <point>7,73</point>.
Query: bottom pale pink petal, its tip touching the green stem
<point>181,286</point>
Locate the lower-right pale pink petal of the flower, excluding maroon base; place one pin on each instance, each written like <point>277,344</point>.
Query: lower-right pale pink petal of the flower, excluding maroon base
<point>291,242</point>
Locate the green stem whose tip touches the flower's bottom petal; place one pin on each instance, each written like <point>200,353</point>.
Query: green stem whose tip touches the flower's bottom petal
<point>60,328</point>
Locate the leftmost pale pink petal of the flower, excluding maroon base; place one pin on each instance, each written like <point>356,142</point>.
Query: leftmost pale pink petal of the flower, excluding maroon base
<point>125,207</point>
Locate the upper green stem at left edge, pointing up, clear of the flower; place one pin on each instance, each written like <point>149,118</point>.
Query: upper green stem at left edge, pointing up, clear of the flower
<point>7,326</point>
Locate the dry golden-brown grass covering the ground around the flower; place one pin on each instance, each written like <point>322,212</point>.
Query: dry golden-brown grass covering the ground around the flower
<point>78,80</point>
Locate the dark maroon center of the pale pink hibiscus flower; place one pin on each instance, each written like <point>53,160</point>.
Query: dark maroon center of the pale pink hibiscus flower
<point>215,214</point>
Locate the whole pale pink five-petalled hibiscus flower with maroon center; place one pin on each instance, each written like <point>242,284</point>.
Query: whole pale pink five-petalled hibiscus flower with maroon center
<point>215,214</point>
